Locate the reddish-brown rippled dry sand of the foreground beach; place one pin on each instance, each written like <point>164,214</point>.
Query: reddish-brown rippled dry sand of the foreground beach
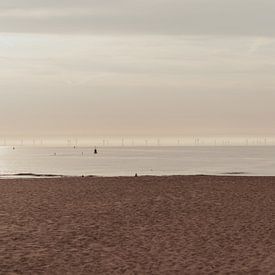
<point>144,225</point>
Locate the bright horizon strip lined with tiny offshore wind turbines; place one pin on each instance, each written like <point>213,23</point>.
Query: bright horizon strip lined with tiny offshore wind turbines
<point>132,141</point>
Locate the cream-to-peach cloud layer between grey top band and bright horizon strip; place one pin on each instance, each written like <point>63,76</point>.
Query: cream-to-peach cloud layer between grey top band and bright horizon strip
<point>136,84</point>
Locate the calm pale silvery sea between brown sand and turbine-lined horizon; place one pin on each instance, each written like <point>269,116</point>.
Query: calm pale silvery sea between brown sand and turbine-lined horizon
<point>123,161</point>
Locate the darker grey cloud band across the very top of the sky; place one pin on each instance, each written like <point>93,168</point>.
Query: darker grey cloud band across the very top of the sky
<point>174,17</point>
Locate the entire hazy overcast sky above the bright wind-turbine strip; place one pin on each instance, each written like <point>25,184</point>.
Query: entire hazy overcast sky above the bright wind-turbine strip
<point>136,67</point>
